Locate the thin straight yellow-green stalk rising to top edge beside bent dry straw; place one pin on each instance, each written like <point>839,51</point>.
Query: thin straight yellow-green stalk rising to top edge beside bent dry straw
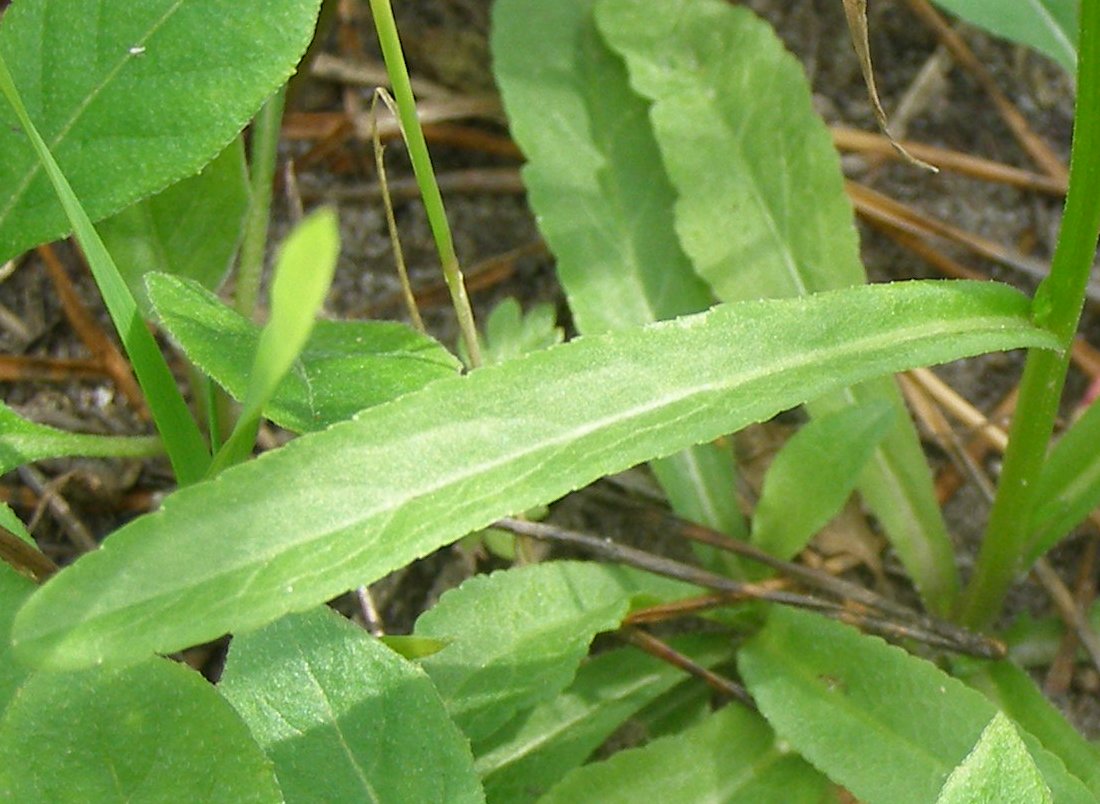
<point>425,175</point>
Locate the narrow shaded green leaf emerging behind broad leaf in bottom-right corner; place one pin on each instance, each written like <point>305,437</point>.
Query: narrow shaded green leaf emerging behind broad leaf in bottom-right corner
<point>1014,692</point>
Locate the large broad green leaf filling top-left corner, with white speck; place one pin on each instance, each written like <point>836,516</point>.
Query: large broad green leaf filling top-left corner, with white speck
<point>133,97</point>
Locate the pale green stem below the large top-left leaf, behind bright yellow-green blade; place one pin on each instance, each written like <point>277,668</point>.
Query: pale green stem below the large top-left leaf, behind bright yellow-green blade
<point>266,134</point>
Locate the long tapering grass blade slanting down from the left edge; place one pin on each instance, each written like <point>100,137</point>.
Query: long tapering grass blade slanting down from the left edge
<point>186,448</point>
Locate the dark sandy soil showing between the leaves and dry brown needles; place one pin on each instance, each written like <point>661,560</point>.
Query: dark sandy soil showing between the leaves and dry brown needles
<point>498,241</point>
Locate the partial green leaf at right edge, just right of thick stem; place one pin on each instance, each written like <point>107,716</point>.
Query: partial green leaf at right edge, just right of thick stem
<point>1069,486</point>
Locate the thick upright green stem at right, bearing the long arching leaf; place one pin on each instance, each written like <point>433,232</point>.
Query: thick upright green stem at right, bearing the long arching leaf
<point>1058,309</point>
